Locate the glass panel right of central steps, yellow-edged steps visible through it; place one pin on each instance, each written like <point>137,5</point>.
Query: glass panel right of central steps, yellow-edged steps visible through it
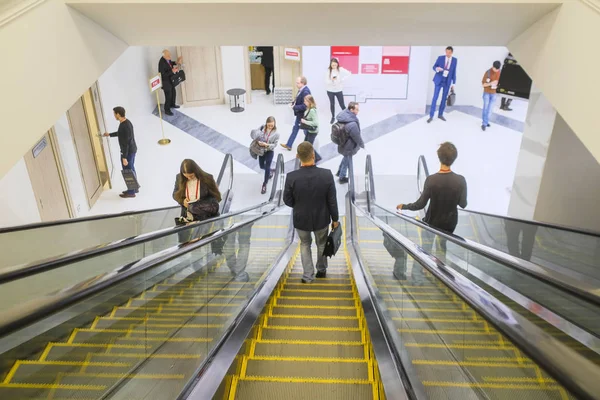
<point>452,350</point>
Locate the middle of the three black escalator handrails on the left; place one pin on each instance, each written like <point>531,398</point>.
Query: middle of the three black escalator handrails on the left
<point>22,271</point>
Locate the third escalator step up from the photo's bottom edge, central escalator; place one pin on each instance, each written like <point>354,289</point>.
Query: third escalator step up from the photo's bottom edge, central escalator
<point>309,350</point>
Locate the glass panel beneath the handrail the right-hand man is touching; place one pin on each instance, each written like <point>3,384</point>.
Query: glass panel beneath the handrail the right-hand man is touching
<point>565,313</point>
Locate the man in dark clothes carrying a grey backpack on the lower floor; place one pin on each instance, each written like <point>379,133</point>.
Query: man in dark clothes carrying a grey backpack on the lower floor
<point>346,134</point>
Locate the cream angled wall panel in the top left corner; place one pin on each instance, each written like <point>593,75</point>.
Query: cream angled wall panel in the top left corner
<point>59,54</point>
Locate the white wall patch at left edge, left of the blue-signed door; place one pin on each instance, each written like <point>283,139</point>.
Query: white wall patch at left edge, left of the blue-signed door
<point>17,201</point>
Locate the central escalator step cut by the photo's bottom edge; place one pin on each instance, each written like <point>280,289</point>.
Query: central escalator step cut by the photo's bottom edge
<point>265,390</point>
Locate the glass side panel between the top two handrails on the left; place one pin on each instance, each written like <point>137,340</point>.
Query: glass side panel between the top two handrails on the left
<point>59,238</point>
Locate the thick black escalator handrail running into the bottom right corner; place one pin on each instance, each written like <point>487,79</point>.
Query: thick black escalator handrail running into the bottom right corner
<point>563,363</point>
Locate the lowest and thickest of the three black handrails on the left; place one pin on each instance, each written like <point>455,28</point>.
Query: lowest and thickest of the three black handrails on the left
<point>14,319</point>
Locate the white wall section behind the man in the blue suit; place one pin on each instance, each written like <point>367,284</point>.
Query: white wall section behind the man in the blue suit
<point>473,61</point>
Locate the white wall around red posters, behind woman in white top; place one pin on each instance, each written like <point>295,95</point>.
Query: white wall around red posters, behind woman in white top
<point>315,60</point>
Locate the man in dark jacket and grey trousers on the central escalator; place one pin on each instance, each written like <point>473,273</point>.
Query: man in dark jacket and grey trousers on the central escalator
<point>310,191</point>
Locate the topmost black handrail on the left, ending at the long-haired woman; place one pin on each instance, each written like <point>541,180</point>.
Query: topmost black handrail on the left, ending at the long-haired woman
<point>227,161</point>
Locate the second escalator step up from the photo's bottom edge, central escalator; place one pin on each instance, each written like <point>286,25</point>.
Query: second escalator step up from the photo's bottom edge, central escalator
<point>308,369</point>
